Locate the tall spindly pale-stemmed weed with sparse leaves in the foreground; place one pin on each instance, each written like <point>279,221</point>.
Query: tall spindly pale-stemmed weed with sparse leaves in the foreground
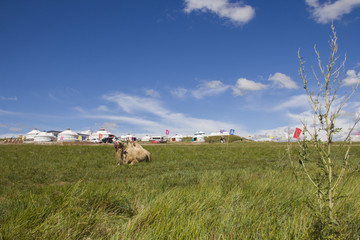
<point>324,167</point>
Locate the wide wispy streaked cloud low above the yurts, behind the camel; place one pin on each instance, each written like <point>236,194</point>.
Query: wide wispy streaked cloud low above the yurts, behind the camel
<point>151,117</point>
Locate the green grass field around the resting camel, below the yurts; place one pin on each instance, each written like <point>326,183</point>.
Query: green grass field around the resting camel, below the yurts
<point>241,190</point>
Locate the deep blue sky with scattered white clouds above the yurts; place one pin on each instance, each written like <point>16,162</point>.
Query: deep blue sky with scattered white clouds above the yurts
<point>142,67</point>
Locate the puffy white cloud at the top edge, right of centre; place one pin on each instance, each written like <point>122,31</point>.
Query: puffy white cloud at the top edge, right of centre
<point>238,12</point>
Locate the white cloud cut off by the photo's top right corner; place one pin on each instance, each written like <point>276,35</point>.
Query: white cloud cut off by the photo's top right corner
<point>331,10</point>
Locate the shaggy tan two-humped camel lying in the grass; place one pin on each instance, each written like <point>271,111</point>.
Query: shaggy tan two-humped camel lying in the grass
<point>133,153</point>
